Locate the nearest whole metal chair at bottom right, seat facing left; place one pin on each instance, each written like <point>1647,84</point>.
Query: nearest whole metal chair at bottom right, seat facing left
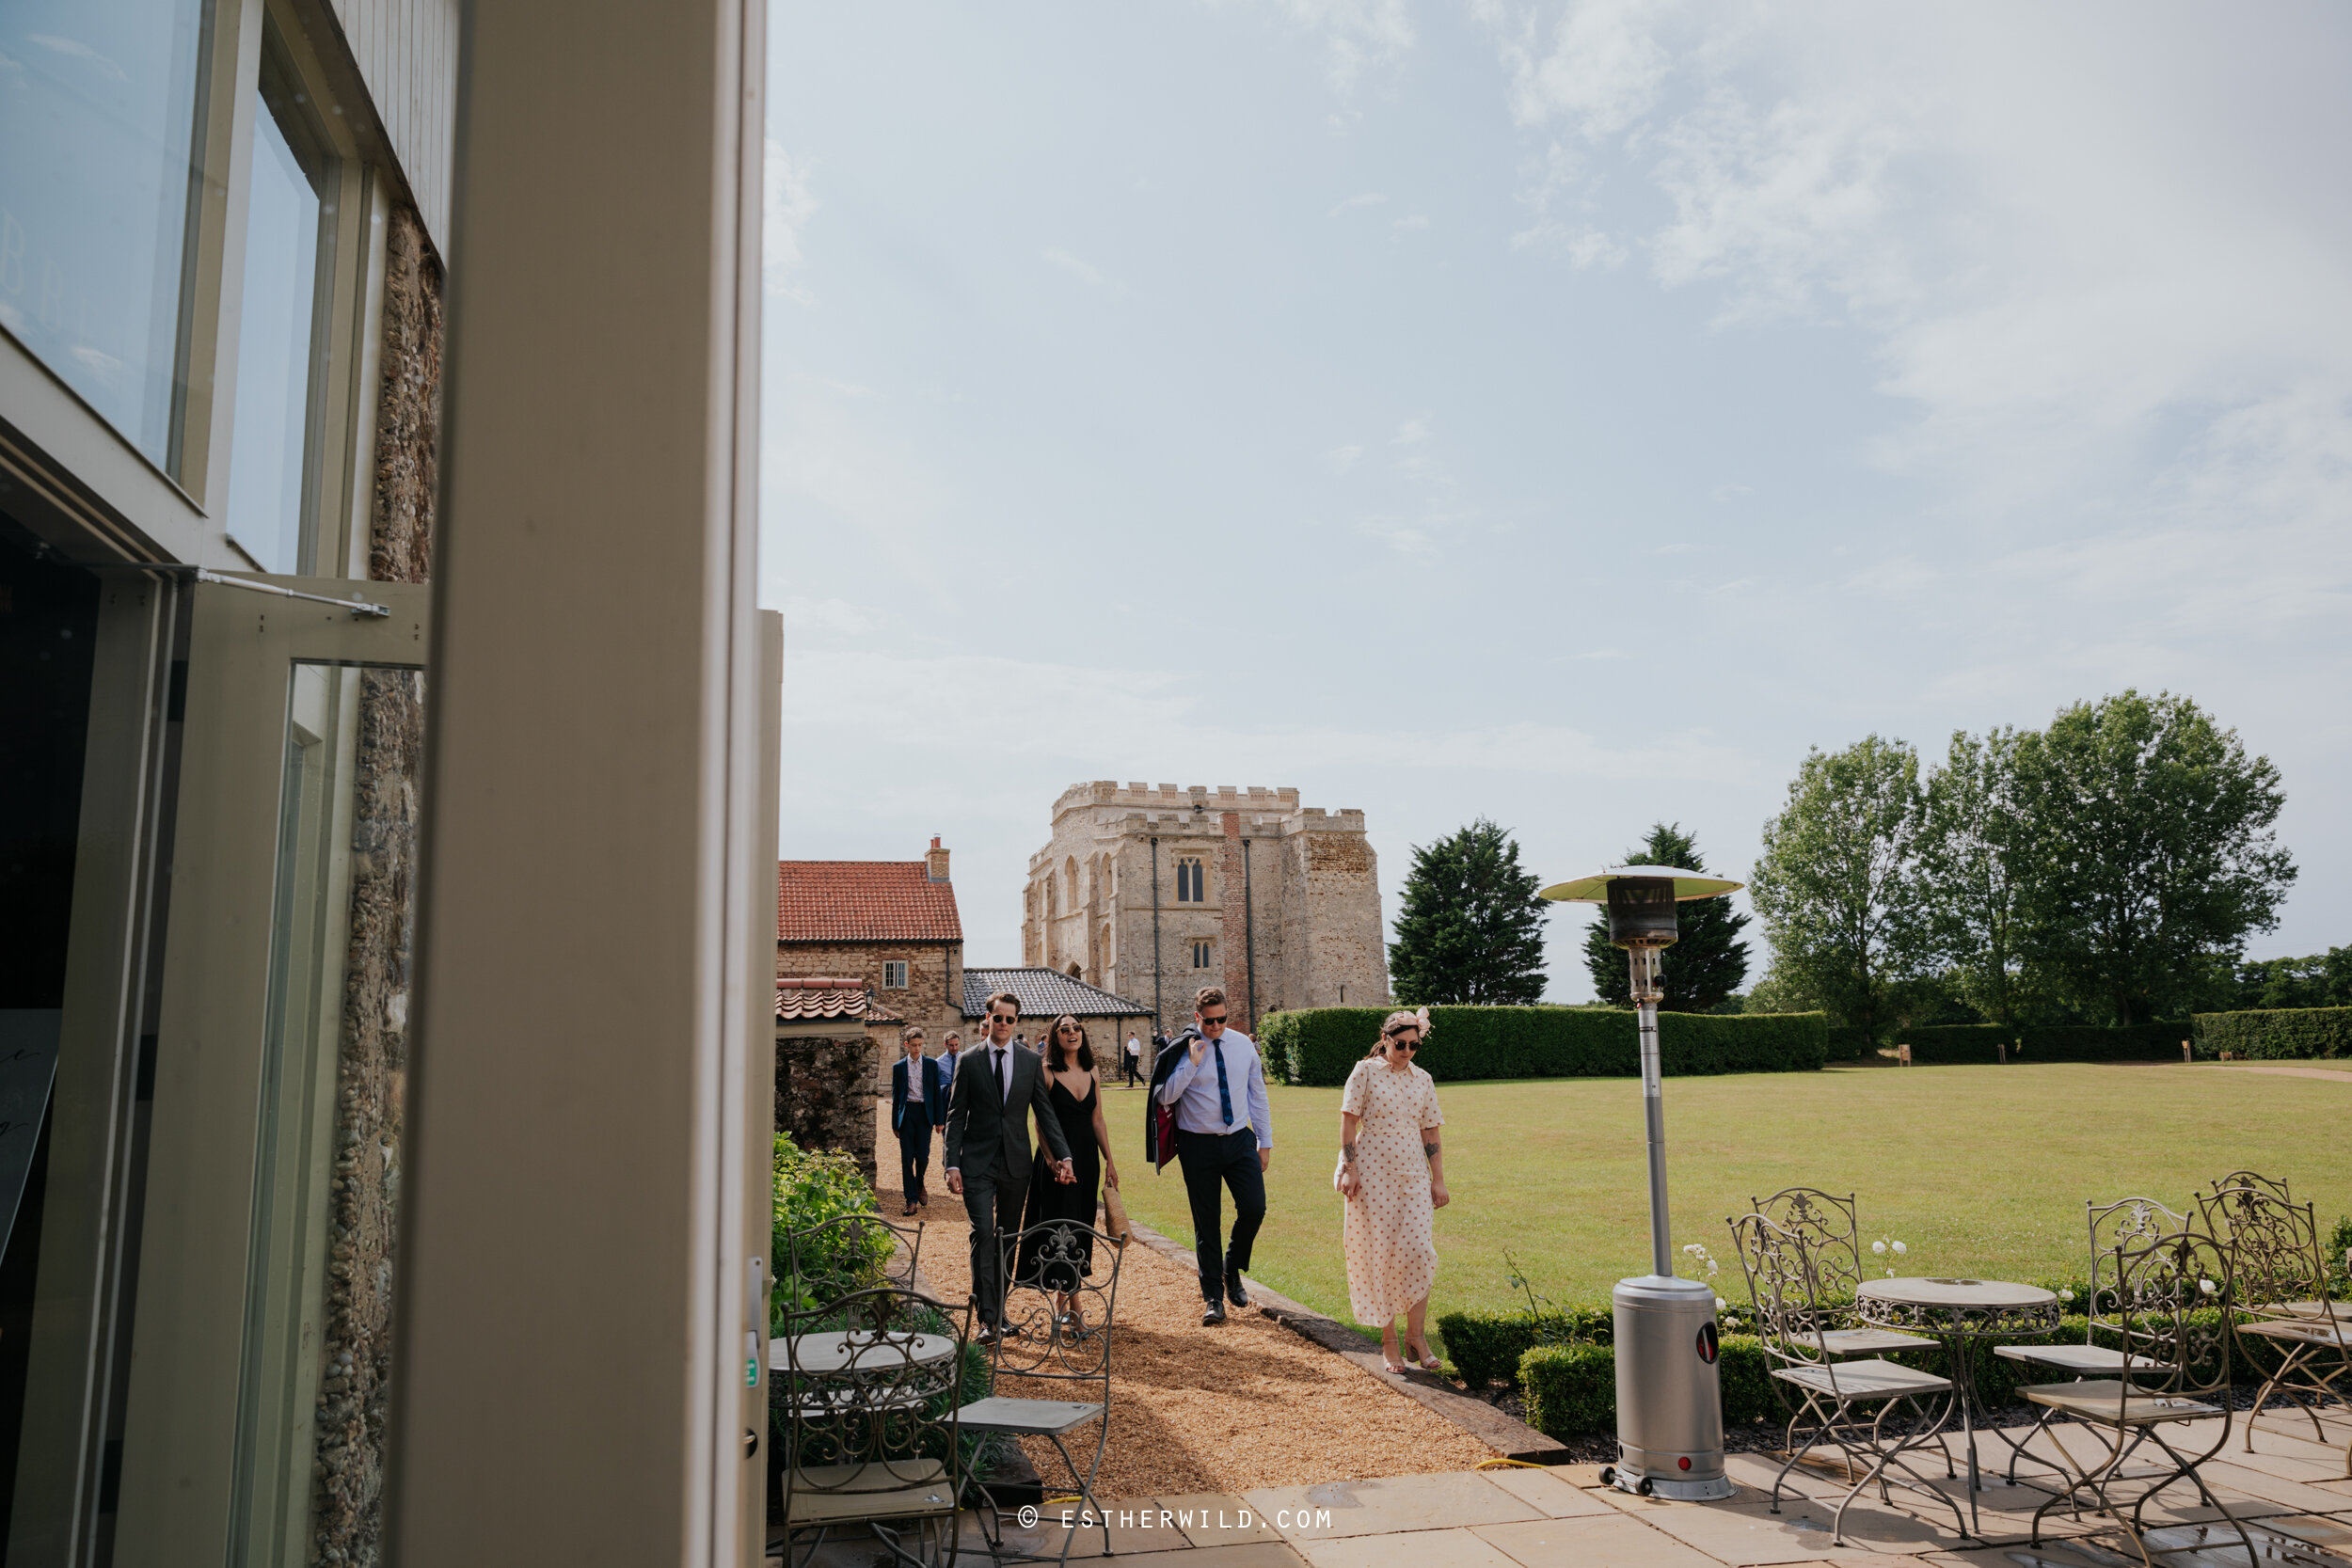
<point>2165,1294</point>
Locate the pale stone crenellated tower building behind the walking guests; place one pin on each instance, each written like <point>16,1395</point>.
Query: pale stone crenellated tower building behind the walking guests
<point>1156,892</point>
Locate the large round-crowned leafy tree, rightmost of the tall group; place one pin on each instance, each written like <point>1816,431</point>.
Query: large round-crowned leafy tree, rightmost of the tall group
<point>2156,852</point>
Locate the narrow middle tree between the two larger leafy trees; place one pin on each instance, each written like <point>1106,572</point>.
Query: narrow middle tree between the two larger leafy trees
<point>1977,869</point>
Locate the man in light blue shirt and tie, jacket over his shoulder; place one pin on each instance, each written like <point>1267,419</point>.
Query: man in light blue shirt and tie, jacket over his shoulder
<point>1224,1139</point>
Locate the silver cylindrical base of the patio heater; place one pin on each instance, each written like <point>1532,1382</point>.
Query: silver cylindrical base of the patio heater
<point>1671,1407</point>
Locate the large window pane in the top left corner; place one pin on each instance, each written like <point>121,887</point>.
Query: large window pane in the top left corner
<point>98,170</point>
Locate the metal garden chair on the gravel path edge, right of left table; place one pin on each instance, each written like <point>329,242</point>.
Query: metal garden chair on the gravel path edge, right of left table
<point>1062,1294</point>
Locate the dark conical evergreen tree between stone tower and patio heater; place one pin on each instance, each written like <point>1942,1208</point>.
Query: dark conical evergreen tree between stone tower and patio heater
<point>1471,927</point>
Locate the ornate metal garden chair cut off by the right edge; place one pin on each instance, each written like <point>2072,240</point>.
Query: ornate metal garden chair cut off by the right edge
<point>2283,1294</point>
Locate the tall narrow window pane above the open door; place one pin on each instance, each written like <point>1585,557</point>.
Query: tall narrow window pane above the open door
<point>274,349</point>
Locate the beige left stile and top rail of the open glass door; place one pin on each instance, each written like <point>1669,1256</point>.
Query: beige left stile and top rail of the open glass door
<point>189,1339</point>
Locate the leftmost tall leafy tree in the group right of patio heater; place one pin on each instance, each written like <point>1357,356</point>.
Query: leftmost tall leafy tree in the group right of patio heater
<point>1838,887</point>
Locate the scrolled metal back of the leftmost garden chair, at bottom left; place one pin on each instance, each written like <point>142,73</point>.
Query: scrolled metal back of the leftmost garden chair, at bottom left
<point>869,1393</point>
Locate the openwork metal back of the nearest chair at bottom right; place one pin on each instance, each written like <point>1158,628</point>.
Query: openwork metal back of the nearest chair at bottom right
<point>2170,1306</point>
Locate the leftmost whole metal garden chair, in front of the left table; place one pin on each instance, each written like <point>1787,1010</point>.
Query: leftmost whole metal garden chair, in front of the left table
<point>867,1391</point>
